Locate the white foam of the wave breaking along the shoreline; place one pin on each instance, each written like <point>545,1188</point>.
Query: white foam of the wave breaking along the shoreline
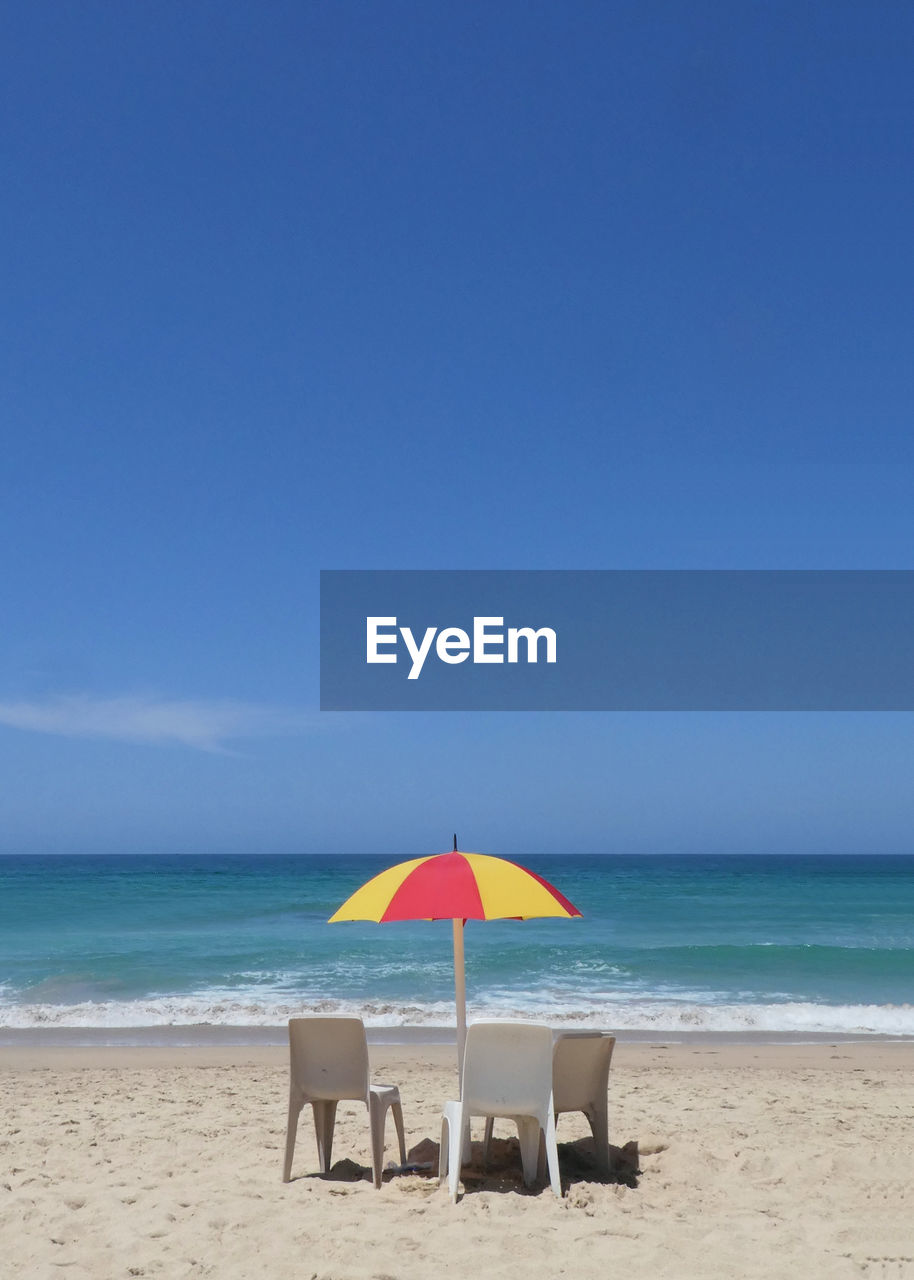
<point>623,1016</point>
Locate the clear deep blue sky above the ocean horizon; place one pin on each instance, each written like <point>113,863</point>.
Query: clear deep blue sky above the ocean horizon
<point>392,286</point>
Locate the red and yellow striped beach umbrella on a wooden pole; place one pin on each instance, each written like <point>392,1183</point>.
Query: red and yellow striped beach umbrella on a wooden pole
<point>456,888</point>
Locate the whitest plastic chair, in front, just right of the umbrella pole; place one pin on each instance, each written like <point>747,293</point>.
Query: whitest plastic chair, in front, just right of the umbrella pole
<point>508,1072</point>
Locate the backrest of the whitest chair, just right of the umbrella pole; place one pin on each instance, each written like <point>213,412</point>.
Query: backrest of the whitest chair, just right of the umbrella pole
<point>508,1068</point>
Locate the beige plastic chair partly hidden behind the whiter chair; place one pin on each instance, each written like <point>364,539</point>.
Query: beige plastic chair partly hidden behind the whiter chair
<point>581,1078</point>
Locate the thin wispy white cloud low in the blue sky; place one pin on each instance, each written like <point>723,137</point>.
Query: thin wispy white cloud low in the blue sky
<point>208,726</point>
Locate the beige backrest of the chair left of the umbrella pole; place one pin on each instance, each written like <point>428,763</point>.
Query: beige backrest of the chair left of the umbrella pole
<point>330,1058</point>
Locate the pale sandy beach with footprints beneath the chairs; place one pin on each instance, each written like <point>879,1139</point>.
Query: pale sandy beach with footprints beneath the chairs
<point>755,1162</point>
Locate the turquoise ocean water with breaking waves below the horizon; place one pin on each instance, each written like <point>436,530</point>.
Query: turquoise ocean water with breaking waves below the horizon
<point>666,944</point>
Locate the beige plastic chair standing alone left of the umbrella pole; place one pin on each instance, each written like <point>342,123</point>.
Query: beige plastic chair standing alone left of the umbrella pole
<point>328,1064</point>
